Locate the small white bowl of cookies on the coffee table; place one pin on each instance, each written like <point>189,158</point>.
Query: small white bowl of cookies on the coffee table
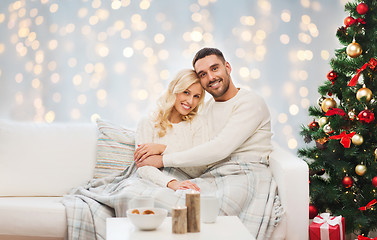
<point>147,218</point>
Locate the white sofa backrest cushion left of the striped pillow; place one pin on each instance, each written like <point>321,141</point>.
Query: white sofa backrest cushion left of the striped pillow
<point>41,159</point>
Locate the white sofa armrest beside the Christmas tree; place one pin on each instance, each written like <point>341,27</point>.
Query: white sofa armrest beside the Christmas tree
<point>292,177</point>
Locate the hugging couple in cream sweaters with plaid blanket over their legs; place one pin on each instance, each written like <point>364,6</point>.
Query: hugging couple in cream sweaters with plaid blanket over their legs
<point>222,150</point>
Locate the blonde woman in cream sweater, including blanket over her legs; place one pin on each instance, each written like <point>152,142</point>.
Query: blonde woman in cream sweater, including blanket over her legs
<point>175,124</point>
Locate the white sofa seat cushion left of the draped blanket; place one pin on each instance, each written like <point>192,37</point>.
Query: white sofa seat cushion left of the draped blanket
<point>32,216</point>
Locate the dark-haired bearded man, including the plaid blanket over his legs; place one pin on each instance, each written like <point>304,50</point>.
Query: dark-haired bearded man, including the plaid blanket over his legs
<point>237,154</point>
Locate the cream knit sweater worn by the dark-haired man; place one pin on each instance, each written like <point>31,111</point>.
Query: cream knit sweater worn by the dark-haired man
<point>239,126</point>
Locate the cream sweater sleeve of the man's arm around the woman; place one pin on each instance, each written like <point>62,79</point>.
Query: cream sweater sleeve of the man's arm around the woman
<point>246,118</point>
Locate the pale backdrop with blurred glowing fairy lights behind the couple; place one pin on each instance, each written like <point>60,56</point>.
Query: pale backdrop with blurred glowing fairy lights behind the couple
<point>79,60</point>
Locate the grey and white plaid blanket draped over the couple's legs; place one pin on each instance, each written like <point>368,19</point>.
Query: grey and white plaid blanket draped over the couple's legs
<point>245,189</point>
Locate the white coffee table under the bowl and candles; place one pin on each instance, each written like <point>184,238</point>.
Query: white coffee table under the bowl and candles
<point>225,228</point>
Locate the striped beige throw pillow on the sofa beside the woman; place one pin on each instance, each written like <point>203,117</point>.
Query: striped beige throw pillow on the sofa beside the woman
<point>115,148</point>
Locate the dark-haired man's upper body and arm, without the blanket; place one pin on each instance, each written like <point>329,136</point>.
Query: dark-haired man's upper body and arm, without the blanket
<point>238,120</point>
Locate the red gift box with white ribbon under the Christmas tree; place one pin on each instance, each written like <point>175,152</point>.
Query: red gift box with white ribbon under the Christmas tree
<point>325,227</point>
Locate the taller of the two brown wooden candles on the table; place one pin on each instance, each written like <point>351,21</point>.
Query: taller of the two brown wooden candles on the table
<point>193,211</point>
